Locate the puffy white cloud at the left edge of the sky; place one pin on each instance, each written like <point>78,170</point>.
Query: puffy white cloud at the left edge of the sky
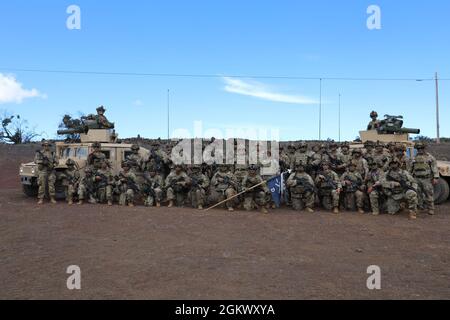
<point>11,90</point>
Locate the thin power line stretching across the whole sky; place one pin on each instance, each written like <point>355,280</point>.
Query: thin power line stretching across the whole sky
<point>144,74</point>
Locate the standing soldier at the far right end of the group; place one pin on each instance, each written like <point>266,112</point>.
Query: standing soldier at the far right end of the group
<point>424,170</point>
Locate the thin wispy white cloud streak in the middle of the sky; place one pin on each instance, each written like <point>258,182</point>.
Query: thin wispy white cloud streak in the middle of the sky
<point>259,90</point>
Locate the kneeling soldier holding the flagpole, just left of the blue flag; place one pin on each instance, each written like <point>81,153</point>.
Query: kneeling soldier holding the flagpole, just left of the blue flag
<point>257,195</point>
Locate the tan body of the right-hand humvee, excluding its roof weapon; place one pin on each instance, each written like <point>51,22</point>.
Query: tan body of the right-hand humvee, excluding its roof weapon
<point>441,190</point>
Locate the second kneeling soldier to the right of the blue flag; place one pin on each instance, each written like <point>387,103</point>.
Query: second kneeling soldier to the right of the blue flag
<point>329,187</point>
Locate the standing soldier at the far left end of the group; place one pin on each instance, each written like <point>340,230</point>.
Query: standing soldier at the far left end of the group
<point>46,162</point>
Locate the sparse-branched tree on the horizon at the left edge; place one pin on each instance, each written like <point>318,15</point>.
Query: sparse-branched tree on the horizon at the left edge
<point>15,130</point>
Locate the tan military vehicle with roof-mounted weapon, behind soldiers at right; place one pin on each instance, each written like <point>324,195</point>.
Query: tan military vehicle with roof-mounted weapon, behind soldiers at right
<point>391,130</point>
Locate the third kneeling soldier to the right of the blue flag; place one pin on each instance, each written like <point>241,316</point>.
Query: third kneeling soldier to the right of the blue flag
<point>353,187</point>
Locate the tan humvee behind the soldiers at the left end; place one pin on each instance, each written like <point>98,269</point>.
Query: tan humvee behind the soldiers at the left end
<point>114,151</point>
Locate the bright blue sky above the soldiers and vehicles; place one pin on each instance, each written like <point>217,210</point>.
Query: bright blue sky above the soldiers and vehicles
<point>276,38</point>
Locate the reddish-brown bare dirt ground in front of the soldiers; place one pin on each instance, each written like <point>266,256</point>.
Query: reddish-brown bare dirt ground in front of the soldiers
<point>160,253</point>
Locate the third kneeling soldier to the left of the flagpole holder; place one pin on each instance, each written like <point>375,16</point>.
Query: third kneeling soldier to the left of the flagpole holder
<point>177,184</point>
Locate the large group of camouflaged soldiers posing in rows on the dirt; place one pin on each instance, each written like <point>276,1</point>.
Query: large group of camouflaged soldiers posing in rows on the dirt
<point>374,178</point>
